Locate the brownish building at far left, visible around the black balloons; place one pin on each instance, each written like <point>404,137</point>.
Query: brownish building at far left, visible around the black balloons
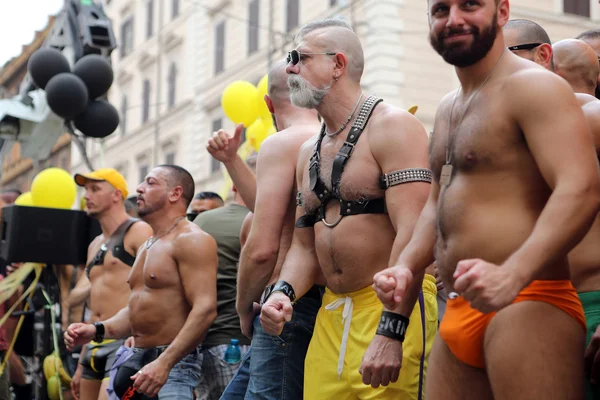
<point>18,172</point>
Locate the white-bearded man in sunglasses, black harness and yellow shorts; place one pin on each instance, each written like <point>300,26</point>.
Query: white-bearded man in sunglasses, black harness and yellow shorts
<point>348,230</point>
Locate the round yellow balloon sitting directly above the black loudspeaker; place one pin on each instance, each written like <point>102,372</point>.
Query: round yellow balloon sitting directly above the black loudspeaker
<point>53,188</point>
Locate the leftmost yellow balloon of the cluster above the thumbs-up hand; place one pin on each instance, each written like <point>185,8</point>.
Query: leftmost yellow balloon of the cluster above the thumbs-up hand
<point>239,102</point>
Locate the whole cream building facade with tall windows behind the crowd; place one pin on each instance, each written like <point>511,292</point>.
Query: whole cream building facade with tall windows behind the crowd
<point>211,43</point>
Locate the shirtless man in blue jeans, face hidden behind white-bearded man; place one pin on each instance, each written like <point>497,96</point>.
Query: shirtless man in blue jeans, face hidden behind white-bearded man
<point>272,198</point>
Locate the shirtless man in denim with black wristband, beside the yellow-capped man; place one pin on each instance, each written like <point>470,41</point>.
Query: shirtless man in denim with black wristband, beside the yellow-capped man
<point>172,301</point>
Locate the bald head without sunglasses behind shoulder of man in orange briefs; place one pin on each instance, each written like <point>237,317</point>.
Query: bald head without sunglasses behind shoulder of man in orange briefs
<point>577,63</point>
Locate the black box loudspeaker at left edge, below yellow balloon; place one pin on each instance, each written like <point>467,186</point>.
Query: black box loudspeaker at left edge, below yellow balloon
<point>46,235</point>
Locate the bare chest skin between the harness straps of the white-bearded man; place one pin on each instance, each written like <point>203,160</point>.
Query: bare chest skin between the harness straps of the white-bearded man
<point>359,178</point>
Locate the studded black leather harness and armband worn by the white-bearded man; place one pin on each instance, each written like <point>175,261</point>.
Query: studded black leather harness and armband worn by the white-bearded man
<point>347,207</point>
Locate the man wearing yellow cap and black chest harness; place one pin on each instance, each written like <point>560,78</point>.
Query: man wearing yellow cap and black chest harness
<point>110,257</point>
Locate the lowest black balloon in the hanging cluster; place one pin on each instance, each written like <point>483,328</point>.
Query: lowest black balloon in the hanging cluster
<point>99,120</point>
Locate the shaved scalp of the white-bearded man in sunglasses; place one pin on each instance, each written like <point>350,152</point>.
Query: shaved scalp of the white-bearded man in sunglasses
<point>335,35</point>
